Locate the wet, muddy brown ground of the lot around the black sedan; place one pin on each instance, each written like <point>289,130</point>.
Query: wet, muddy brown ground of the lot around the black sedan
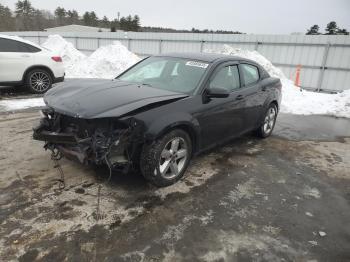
<point>285,198</point>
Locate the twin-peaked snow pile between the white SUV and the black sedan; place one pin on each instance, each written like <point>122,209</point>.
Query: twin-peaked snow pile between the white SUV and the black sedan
<point>106,62</point>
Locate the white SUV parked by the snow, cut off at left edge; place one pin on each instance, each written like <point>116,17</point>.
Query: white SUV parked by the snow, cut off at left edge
<point>25,63</point>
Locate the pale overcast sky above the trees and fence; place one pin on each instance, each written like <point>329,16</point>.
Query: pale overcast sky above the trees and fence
<point>249,16</point>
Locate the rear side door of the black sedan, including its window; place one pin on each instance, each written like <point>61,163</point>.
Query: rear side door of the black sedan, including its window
<point>253,93</point>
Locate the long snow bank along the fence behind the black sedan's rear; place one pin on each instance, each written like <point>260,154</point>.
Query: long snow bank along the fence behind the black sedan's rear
<point>294,100</point>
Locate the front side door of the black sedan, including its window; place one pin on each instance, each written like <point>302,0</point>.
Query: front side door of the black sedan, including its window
<point>222,118</point>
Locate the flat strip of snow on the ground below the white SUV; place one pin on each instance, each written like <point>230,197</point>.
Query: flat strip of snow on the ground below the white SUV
<point>18,104</point>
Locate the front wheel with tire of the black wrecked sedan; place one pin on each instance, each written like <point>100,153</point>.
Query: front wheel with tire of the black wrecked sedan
<point>160,162</point>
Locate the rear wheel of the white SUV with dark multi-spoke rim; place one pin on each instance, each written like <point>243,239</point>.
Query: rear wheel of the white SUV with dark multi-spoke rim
<point>38,81</point>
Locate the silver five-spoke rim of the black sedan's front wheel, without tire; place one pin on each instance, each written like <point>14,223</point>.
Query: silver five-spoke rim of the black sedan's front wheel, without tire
<point>173,158</point>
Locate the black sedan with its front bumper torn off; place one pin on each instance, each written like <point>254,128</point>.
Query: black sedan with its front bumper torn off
<point>159,113</point>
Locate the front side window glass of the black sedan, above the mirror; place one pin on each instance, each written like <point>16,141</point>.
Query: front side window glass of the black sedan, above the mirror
<point>227,78</point>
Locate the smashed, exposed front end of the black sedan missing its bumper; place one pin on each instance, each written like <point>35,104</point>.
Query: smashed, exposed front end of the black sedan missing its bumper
<point>108,141</point>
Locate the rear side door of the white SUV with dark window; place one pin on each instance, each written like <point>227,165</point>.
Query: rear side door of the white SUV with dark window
<point>15,58</point>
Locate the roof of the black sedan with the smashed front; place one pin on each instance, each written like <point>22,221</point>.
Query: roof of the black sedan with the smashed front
<point>206,57</point>
